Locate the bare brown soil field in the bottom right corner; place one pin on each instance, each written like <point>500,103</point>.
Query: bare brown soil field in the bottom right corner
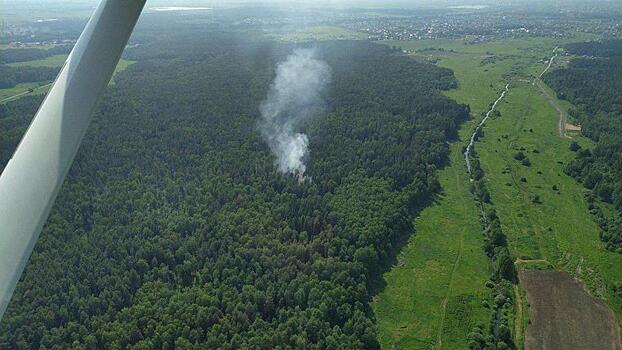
<point>564,316</point>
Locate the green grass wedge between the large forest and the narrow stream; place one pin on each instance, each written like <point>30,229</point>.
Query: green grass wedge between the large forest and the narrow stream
<point>434,294</point>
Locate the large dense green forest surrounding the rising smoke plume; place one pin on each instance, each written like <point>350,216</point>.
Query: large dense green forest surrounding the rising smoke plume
<point>174,228</point>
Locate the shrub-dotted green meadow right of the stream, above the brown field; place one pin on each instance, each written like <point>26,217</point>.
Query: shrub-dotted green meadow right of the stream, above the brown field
<point>542,210</point>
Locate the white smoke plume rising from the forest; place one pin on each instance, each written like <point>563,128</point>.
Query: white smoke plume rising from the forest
<point>294,97</point>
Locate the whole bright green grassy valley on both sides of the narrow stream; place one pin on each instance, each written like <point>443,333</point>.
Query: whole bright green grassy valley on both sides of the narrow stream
<point>559,233</point>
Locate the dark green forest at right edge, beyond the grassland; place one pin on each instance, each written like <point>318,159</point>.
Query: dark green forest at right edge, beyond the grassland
<point>593,84</point>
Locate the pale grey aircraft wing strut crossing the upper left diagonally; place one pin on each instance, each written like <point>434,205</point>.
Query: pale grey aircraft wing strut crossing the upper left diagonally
<point>32,178</point>
